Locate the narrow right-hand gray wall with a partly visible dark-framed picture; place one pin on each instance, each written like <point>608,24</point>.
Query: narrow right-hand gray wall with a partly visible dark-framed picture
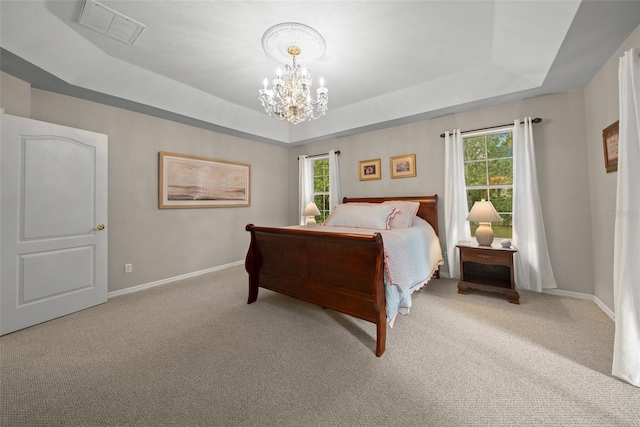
<point>601,101</point>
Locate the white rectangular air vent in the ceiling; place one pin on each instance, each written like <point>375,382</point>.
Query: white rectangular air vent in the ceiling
<point>109,22</point>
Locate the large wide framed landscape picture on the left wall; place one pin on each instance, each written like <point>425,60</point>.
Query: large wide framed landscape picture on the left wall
<point>198,182</point>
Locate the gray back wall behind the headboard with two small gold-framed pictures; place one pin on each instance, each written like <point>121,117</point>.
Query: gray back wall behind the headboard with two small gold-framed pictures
<point>561,161</point>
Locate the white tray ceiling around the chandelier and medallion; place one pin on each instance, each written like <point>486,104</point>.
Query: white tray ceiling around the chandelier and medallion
<point>386,62</point>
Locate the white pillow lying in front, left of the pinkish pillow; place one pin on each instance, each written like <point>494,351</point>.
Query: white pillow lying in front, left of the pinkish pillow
<point>361,215</point>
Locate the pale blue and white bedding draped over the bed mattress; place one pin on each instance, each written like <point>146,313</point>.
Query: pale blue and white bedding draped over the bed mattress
<point>412,255</point>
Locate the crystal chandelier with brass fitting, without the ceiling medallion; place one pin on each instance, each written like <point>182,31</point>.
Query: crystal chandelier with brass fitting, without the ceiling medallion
<point>290,97</point>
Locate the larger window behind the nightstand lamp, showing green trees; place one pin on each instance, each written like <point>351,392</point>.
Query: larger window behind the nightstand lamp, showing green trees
<point>488,171</point>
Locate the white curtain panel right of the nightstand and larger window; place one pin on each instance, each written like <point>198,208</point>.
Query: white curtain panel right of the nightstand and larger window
<point>533,265</point>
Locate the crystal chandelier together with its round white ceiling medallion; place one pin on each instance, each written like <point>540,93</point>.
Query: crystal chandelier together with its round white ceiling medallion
<point>289,97</point>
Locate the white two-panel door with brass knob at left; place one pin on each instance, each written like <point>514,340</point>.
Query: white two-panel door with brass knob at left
<point>53,219</point>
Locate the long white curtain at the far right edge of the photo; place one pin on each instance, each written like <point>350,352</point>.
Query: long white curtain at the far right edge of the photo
<point>626,268</point>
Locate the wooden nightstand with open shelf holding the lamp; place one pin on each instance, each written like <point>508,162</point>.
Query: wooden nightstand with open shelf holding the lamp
<point>487,268</point>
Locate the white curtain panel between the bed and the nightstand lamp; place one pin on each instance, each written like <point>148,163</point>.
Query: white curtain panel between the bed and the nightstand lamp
<point>455,200</point>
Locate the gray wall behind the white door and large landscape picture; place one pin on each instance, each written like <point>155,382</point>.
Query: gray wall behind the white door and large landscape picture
<point>163,243</point>
